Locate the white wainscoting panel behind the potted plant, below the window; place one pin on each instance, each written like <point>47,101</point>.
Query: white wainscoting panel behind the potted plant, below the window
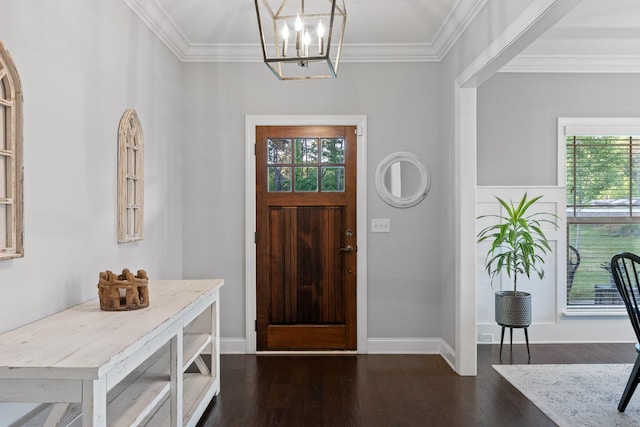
<point>550,324</point>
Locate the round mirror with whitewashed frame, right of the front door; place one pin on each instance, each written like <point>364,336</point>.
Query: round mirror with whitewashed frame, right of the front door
<point>402,179</point>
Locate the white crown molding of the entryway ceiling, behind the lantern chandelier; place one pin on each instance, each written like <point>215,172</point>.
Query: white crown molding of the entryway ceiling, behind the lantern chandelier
<point>161,24</point>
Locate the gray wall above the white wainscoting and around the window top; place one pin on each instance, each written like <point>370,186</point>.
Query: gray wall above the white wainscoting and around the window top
<point>517,119</point>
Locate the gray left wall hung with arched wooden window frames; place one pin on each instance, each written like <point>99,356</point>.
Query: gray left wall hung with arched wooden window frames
<point>82,63</point>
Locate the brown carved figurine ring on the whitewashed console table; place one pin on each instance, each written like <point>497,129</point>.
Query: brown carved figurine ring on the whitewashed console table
<point>123,292</point>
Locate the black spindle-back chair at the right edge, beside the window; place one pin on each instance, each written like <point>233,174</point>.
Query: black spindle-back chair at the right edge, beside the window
<point>625,268</point>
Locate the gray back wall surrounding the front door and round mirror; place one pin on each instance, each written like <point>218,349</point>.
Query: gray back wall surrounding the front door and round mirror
<point>401,102</point>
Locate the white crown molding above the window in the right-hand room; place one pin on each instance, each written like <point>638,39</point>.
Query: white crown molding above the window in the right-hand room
<point>573,64</point>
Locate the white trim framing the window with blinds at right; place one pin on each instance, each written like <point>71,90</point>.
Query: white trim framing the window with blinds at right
<point>614,126</point>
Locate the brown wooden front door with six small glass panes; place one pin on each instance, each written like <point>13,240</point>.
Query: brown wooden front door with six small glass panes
<point>306,238</point>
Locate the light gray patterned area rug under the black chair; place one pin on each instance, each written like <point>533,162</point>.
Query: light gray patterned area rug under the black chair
<point>576,395</point>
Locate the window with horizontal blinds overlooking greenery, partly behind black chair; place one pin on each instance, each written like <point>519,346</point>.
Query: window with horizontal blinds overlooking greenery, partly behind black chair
<point>603,214</point>
